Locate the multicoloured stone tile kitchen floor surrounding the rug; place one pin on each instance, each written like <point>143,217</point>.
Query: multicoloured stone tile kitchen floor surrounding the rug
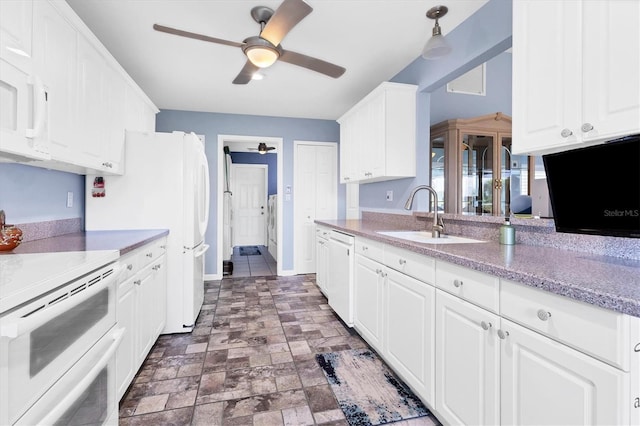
<point>249,360</point>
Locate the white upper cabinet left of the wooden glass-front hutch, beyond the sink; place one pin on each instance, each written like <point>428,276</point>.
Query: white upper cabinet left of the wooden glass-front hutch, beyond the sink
<point>378,136</point>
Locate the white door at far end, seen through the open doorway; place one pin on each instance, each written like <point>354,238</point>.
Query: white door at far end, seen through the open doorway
<point>249,219</point>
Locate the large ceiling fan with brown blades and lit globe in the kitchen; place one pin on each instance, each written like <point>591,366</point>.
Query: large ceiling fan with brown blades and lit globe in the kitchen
<point>264,50</point>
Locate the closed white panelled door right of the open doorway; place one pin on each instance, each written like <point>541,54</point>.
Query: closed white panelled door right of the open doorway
<point>315,197</point>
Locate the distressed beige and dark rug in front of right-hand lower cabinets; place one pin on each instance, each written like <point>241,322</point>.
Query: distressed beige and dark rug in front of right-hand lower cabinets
<point>368,392</point>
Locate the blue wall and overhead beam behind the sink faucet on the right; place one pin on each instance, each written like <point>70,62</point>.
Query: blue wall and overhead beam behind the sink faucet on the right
<point>484,35</point>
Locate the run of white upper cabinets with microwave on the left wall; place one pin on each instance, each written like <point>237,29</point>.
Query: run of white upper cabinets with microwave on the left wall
<point>83,101</point>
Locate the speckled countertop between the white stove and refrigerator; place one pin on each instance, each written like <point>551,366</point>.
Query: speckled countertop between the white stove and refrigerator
<point>124,241</point>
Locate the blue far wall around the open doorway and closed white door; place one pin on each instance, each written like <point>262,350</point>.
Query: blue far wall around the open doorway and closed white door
<point>289,129</point>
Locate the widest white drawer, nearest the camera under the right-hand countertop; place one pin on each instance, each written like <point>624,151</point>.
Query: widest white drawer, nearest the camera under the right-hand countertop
<point>596,331</point>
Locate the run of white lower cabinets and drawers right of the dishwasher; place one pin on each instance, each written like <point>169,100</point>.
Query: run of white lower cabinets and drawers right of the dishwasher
<point>479,350</point>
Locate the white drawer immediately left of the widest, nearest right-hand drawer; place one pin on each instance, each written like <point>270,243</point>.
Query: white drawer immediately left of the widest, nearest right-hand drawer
<point>476,287</point>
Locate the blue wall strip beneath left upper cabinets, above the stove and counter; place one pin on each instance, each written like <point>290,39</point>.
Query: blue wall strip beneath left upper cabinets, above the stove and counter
<point>31,194</point>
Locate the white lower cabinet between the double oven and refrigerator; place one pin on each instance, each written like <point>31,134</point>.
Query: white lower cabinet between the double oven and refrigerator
<point>141,308</point>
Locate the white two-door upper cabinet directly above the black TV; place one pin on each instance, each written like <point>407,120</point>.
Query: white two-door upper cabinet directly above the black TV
<point>575,73</point>
